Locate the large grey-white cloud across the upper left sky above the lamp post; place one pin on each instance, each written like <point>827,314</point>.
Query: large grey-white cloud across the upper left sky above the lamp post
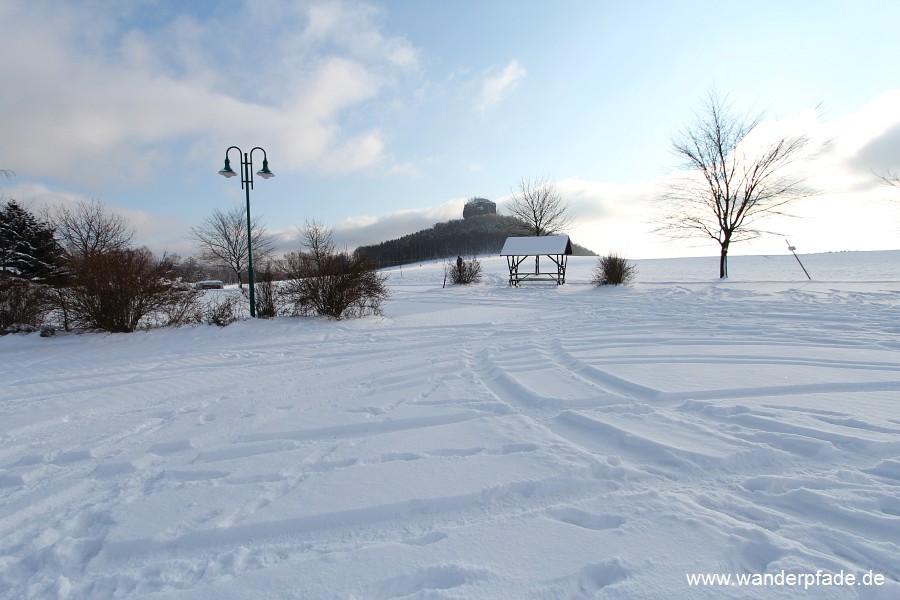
<point>99,100</point>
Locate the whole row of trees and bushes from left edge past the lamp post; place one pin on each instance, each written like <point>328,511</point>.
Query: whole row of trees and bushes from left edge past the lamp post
<point>76,269</point>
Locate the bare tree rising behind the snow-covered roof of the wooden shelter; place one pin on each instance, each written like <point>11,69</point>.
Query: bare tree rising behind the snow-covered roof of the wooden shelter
<point>539,206</point>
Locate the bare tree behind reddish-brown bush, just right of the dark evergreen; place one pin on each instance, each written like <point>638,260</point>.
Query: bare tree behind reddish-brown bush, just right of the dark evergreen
<point>88,228</point>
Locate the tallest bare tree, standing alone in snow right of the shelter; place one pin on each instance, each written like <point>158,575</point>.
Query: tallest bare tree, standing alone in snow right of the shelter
<point>733,181</point>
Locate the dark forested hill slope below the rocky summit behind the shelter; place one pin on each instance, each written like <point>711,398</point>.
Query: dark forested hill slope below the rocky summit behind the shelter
<point>484,234</point>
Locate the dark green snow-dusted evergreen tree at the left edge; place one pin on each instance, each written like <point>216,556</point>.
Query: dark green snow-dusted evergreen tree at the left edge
<point>28,248</point>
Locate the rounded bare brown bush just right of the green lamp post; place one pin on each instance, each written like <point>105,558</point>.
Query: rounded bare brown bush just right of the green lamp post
<point>320,281</point>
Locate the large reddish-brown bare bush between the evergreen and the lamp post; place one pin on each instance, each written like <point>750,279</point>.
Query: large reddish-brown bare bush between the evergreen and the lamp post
<point>117,291</point>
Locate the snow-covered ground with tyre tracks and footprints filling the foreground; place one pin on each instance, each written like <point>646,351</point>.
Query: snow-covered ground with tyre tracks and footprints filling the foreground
<point>480,442</point>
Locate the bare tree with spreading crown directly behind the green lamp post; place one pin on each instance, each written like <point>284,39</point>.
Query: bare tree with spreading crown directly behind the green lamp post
<point>222,237</point>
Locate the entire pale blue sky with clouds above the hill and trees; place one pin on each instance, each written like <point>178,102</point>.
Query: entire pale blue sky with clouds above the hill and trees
<point>382,118</point>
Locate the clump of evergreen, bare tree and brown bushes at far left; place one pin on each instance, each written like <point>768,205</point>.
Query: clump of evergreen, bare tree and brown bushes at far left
<point>77,269</point>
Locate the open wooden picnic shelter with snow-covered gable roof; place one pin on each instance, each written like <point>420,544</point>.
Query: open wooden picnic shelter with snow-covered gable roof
<point>555,247</point>
